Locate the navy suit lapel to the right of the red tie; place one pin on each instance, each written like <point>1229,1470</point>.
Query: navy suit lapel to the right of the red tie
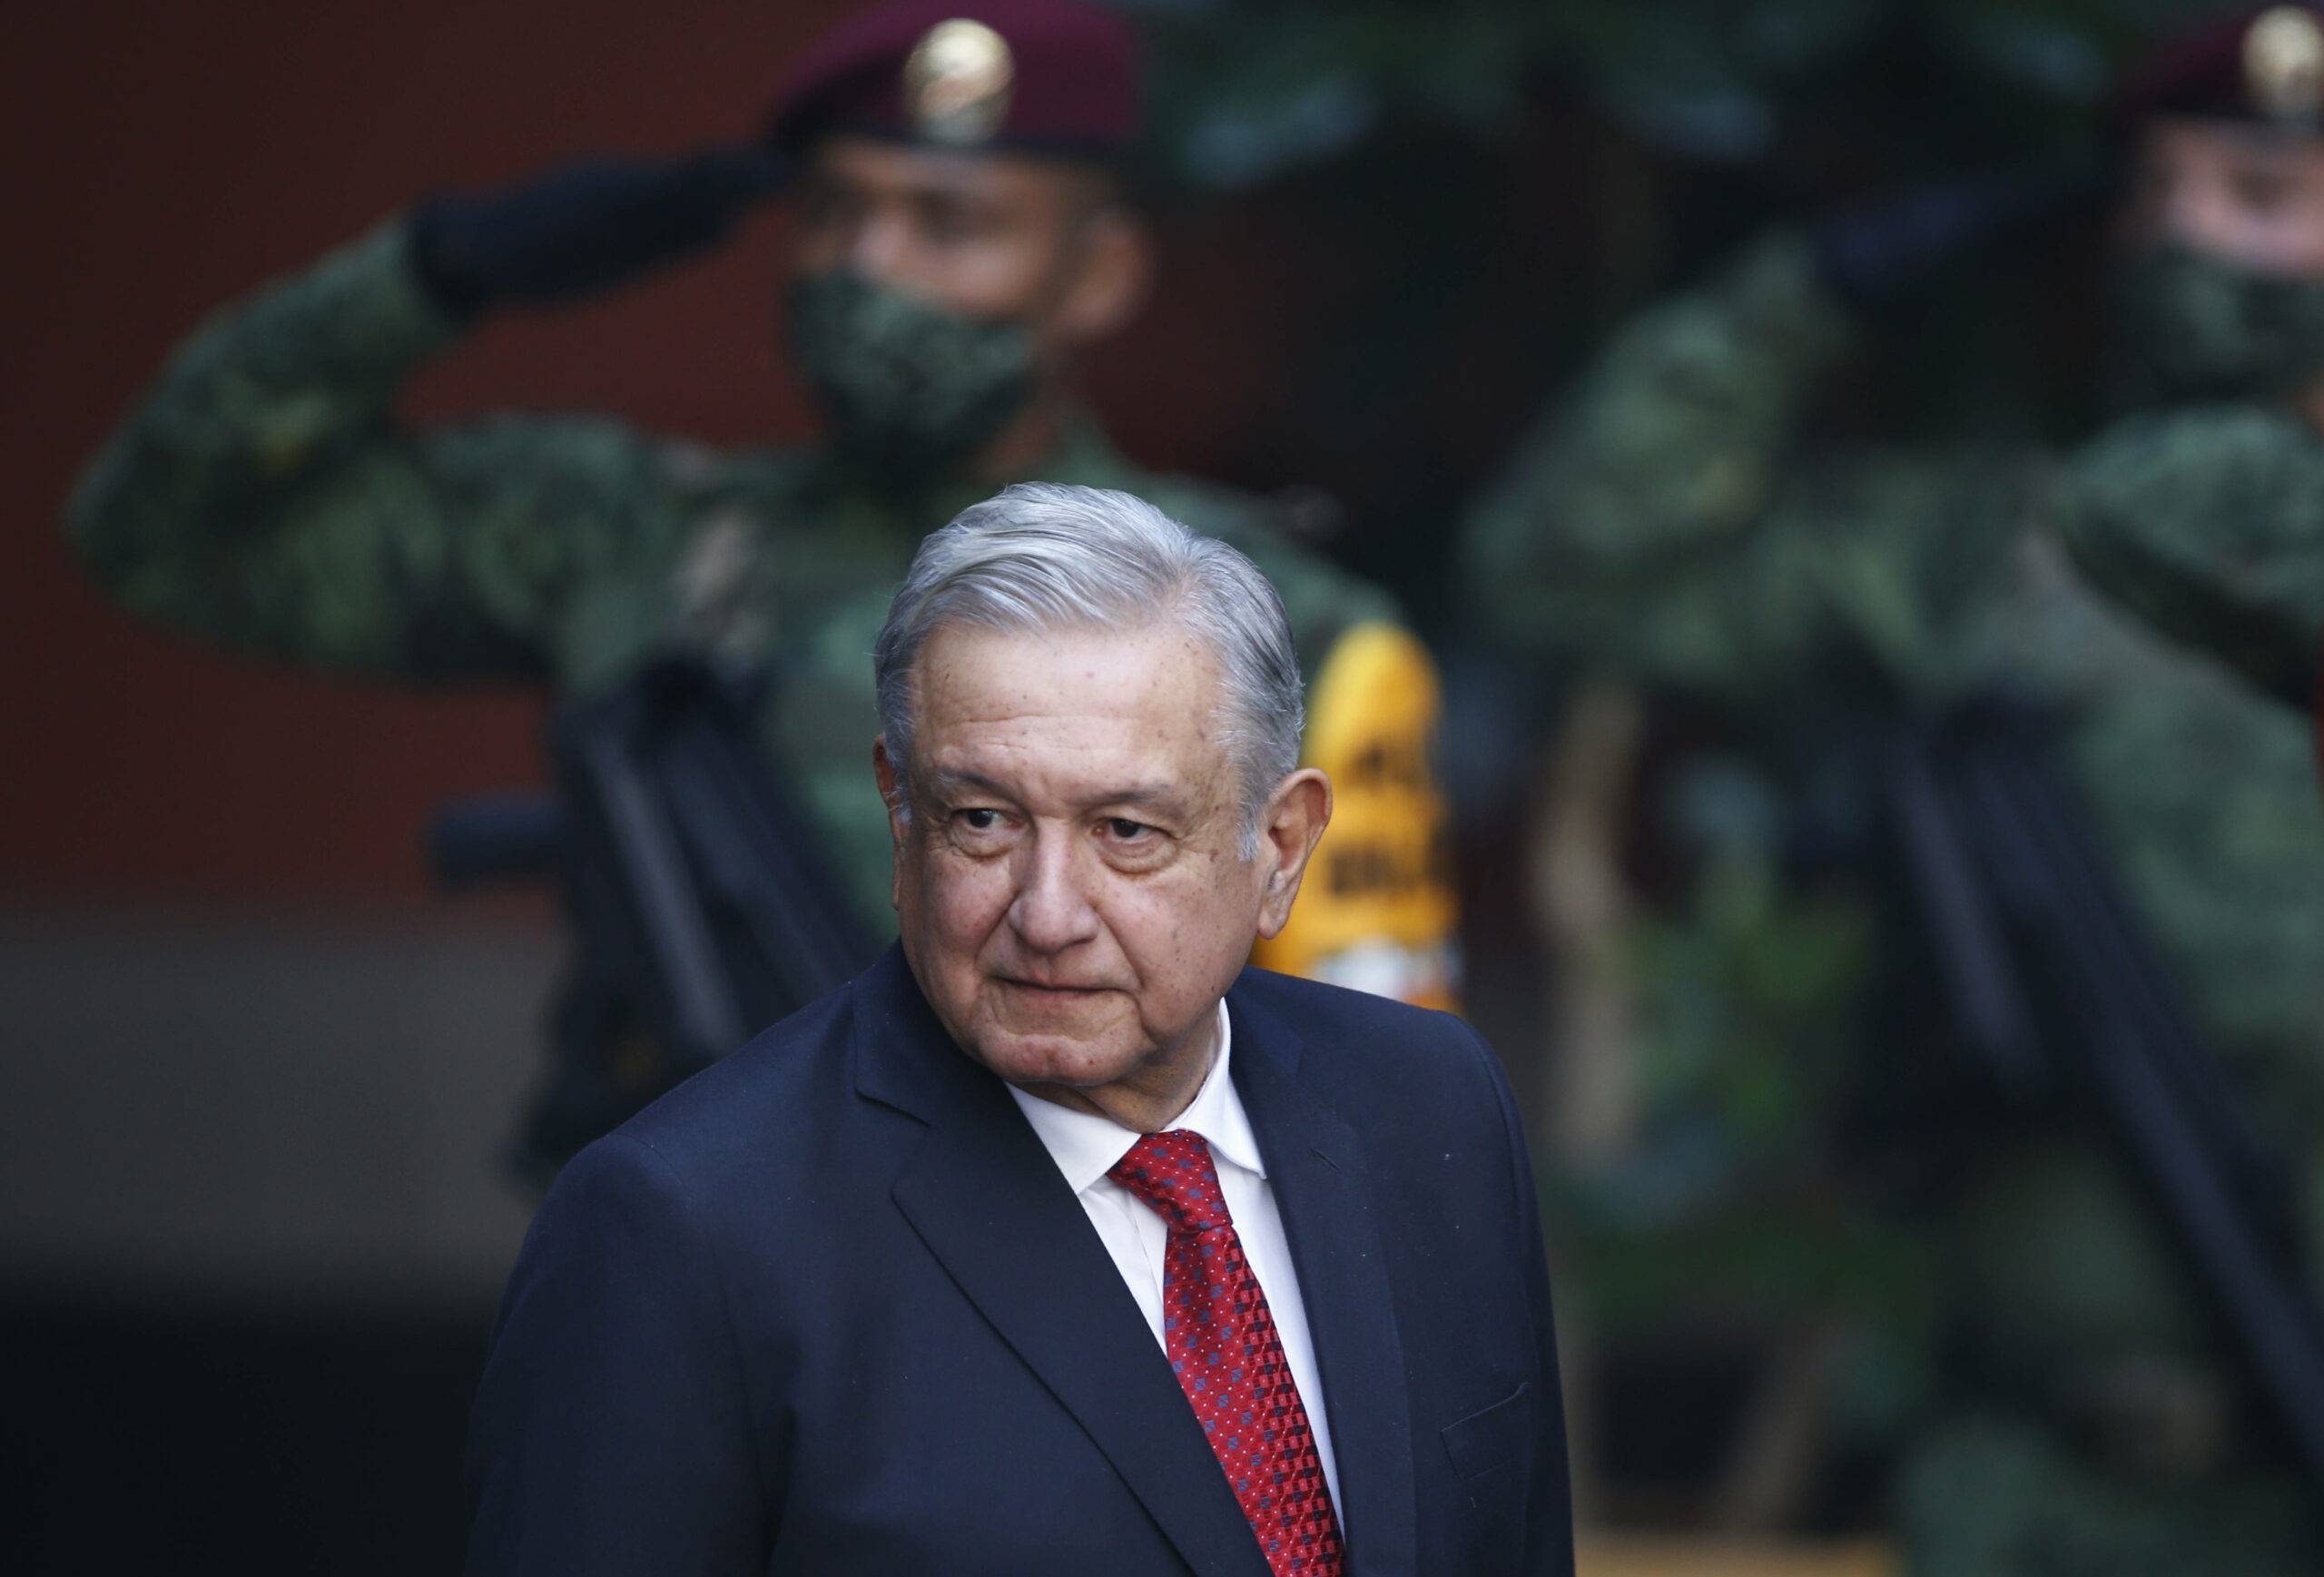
<point>1317,1172</point>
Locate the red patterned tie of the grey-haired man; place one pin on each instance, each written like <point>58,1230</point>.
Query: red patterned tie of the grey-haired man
<point>1228,1358</point>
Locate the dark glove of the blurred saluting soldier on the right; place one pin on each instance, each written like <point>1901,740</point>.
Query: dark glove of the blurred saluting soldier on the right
<point>1881,254</point>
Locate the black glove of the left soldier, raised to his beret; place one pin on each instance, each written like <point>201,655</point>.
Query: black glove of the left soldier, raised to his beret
<point>582,226</point>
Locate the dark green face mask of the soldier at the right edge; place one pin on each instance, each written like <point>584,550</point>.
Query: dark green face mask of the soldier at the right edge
<point>2197,329</point>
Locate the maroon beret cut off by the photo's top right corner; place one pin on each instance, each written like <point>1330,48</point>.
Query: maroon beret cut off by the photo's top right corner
<point>2260,64</point>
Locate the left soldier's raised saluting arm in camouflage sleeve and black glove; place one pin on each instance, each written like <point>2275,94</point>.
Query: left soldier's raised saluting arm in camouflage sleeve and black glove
<point>266,498</point>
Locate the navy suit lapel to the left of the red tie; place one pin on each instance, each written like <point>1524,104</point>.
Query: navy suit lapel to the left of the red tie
<point>991,1207</point>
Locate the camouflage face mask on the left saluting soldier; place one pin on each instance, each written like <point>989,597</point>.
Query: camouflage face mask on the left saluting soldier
<point>908,387</point>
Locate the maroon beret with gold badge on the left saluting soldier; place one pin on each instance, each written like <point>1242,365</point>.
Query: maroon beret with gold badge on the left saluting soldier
<point>1021,75</point>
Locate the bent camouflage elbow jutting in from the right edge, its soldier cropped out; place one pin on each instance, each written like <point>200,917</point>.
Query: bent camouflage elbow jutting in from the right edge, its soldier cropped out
<point>2209,524</point>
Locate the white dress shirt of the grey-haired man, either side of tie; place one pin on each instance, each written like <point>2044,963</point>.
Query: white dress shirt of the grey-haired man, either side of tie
<point>1086,1146</point>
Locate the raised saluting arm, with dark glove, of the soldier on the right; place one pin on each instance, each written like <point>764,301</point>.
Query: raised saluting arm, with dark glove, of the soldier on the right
<point>1660,519</point>
